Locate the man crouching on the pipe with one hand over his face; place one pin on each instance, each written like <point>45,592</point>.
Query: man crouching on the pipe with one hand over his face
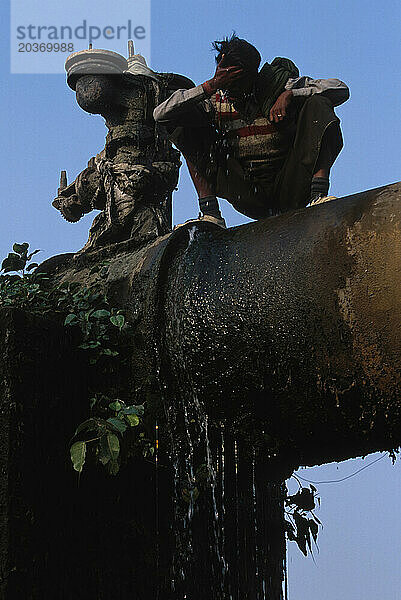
<point>263,140</point>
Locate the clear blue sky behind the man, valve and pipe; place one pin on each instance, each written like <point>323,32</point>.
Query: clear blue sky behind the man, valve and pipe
<point>44,131</point>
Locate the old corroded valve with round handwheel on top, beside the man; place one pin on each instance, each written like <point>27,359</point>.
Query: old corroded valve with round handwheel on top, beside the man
<point>132,179</point>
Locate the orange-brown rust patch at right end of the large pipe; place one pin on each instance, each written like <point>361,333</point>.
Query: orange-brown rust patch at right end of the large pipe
<point>370,301</point>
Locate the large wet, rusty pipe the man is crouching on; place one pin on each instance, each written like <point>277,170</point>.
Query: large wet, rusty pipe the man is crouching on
<point>293,320</point>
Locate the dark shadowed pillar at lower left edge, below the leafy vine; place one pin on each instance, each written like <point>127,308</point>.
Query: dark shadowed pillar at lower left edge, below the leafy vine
<point>41,400</point>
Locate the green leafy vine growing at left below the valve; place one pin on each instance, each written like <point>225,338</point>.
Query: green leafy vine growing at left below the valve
<point>102,335</point>
